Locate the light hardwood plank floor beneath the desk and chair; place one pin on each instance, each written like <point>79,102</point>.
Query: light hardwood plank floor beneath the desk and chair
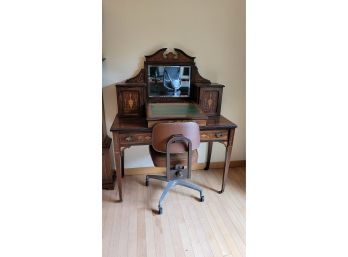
<point>187,227</point>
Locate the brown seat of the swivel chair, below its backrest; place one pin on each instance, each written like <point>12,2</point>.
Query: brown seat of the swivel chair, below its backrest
<point>159,159</point>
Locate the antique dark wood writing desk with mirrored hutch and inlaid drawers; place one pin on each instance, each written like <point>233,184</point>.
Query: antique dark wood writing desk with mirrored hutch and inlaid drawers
<point>142,103</point>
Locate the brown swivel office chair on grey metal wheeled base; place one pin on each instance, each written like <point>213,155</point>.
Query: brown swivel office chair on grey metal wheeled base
<point>174,146</point>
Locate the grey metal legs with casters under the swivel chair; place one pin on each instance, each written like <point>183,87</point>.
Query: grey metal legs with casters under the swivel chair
<point>170,185</point>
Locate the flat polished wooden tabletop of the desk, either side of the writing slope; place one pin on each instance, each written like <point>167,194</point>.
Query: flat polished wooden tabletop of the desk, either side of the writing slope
<point>140,124</point>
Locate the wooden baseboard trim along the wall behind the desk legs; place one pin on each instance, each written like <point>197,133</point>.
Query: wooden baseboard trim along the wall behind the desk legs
<point>198,166</point>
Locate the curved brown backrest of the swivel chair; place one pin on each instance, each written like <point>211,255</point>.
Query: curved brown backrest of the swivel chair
<point>161,132</point>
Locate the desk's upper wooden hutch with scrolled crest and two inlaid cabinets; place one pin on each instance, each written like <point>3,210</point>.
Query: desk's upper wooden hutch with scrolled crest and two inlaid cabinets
<point>134,94</point>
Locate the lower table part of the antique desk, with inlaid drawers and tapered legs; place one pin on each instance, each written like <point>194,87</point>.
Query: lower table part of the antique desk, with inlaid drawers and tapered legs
<point>129,132</point>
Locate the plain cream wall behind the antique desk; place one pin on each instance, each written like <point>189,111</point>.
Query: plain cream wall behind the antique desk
<point>211,30</point>
